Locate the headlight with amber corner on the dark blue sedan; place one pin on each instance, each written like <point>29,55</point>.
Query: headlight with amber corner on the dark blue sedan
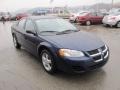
<point>70,53</point>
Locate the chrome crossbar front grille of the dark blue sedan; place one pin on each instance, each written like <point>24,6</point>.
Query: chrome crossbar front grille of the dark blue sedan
<point>99,54</point>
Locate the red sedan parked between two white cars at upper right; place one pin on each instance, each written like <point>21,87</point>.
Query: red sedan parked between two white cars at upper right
<point>90,18</point>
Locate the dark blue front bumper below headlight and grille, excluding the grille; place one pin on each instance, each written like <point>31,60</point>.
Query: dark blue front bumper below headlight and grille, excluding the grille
<point>79,66</point>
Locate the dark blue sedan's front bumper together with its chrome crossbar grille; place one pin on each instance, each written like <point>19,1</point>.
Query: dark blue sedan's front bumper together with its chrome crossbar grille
<point>92,60</point>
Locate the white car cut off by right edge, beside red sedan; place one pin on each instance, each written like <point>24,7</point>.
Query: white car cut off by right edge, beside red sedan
<point>112,20</point>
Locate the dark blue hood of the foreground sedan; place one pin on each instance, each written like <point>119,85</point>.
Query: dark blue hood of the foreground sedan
<point>76,41</point>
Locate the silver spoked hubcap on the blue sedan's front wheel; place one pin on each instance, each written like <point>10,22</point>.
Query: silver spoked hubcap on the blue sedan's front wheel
<point>46,60</point>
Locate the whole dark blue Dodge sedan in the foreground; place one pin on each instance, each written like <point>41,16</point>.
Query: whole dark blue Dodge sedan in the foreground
<point>59,45</point>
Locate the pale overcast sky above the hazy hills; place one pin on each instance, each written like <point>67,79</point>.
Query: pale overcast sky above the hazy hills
<point>12,5</point>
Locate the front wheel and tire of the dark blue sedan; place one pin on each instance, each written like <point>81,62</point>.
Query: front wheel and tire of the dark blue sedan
<point>48,62</point>
